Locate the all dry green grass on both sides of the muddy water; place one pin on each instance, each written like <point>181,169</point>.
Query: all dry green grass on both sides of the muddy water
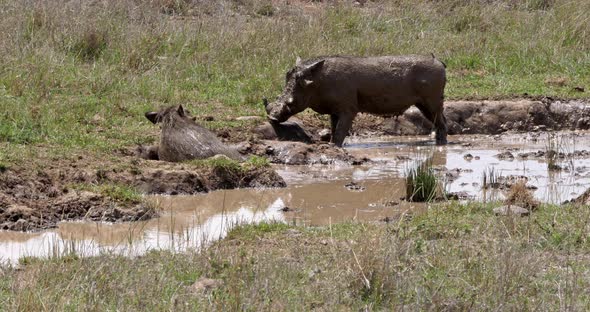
<point>81,82</point>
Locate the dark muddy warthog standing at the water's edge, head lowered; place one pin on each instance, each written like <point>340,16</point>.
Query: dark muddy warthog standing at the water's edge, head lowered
<point>343,86</point>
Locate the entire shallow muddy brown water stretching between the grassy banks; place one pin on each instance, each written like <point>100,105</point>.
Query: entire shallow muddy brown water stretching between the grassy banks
<point>319,195</point>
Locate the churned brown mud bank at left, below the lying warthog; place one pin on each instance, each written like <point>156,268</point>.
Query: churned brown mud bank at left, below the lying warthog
<point>35,199</point>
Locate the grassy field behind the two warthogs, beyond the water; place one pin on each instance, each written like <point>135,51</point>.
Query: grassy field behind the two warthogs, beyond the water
<point>80,74</point>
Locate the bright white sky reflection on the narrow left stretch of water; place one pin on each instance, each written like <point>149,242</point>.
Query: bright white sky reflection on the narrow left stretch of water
<point>128,239</point>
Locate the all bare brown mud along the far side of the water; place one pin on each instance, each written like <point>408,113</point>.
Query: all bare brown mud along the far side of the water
<point>33,199</point>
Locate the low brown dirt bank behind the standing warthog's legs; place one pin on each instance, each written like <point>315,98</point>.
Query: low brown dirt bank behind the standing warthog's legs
<point>463,117</point>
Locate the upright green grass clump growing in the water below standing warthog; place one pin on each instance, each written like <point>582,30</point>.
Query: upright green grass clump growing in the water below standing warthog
<point>422,184</point>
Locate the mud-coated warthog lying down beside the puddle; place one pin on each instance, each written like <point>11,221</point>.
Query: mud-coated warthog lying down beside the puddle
<point>183,139</point>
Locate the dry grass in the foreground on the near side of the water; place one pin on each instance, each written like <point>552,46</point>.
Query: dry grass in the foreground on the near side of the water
<point>452,256</point>
